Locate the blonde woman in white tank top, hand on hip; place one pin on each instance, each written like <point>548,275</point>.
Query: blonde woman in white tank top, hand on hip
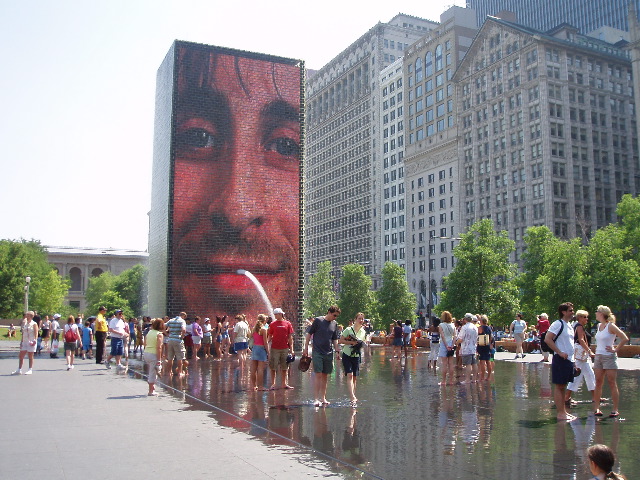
<point>606,360</point>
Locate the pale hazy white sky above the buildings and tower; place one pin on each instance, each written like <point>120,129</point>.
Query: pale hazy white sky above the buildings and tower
<point>77,97</point>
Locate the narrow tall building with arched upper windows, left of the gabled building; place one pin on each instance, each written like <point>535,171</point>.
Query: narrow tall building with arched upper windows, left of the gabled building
<point>431,153</point>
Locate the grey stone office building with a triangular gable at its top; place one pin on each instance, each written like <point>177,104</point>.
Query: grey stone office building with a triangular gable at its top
<point>548,130</point>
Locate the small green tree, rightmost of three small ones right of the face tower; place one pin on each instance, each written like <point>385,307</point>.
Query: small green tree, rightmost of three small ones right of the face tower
<point>394,300</point>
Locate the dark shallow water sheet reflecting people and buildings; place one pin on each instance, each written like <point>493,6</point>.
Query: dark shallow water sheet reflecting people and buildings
<point>406,426</point>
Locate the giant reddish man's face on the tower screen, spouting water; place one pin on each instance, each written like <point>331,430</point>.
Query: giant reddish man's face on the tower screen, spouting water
<point>236,182</point>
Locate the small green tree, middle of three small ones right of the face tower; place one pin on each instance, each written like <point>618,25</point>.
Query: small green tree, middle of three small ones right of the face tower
<point>355,292</point>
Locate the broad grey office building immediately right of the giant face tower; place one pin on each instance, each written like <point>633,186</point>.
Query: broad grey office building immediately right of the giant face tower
<point>342,125</point>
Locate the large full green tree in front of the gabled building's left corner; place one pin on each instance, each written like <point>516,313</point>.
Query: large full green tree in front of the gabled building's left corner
<point>483,280</point>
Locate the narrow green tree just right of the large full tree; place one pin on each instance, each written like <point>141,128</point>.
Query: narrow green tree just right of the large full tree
<point>537,241</point>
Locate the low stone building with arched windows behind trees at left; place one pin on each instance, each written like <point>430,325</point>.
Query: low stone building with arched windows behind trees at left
<point>81,264</point>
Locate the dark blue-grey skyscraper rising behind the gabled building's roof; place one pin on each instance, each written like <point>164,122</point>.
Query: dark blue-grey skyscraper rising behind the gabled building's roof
<point>585,15</point>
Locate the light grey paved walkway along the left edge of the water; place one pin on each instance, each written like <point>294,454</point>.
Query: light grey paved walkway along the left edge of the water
<point>94,423</point>
